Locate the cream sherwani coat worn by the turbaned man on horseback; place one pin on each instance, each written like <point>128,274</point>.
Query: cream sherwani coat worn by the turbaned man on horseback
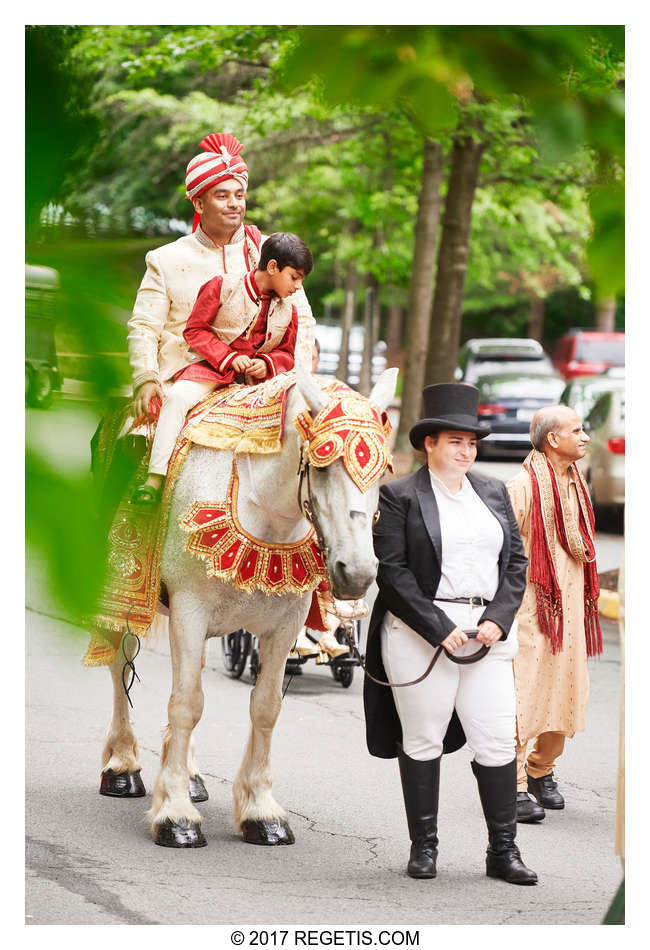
<point>175,274</point>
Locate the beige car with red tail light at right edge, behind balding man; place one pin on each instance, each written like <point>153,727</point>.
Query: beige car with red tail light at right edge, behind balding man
<point>604,464</point>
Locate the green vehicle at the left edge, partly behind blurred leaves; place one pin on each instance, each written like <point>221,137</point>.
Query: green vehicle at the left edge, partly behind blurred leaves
<point>41,368</point>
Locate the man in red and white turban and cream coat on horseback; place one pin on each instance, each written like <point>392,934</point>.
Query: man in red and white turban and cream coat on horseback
<point>216,183</point>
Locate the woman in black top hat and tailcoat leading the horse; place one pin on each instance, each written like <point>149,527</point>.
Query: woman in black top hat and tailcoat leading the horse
<point>450,559</point>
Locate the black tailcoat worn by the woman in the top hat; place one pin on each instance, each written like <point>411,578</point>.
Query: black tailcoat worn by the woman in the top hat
<point>409,548</point>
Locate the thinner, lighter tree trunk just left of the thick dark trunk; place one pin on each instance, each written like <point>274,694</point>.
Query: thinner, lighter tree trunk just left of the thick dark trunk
<point>418,315</point>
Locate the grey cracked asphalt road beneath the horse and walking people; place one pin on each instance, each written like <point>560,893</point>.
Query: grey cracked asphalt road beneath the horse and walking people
<point>90,859</point>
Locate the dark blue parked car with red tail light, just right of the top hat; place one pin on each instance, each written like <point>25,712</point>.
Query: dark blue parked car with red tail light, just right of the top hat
<point>508,403</point>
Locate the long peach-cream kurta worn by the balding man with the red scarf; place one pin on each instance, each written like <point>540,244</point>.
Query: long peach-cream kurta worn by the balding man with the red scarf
<point>552,690</point>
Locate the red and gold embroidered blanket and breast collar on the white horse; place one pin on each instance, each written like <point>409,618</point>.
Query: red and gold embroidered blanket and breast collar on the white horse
<point>240,419</point>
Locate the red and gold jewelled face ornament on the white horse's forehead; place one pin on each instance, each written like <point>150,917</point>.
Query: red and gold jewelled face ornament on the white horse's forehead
<point>349,427</point>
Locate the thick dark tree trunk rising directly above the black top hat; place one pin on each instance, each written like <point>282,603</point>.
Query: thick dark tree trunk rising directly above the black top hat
<point>446,315</point>
